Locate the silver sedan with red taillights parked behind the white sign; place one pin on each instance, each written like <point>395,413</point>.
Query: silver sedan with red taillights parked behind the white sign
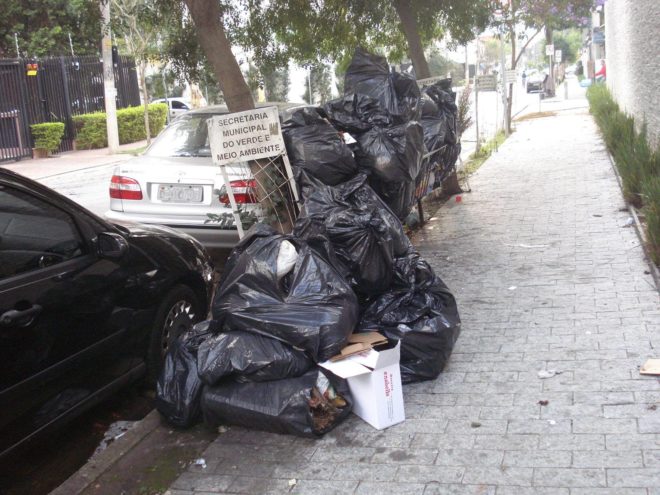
<point>175,183</point>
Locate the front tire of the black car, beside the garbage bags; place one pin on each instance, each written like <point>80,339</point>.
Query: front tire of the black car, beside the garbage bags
<point>178,312</point>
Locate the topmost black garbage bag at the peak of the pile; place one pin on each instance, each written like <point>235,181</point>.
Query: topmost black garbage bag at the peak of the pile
<point>397,95</point>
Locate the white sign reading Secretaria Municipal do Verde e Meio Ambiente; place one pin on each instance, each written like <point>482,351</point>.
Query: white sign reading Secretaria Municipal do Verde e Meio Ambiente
<point>242,136</point>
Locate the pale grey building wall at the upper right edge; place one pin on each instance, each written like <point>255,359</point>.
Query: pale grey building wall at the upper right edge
<point>632,45</point>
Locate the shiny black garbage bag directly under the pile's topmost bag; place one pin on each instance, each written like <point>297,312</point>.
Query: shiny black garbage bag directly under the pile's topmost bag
<point>392,154</point>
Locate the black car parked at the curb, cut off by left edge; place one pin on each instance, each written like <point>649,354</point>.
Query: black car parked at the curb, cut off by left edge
<point>86,306</point>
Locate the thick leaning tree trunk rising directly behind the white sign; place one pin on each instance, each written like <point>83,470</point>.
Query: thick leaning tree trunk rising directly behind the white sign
<point>211,34</point>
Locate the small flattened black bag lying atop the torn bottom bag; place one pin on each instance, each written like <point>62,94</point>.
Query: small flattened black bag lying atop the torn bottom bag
<point>248,357</point>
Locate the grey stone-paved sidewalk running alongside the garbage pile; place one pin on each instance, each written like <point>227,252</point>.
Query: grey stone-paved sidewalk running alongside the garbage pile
<point>547,277</point>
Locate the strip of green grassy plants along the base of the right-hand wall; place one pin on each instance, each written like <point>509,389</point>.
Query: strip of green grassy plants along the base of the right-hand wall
<point>637,163</point>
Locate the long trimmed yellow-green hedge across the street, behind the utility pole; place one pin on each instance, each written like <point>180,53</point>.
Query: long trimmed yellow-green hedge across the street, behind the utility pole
<point>91,127</point>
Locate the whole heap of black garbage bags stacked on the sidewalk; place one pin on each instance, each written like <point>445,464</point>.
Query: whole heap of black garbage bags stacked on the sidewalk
<point>289,302</point>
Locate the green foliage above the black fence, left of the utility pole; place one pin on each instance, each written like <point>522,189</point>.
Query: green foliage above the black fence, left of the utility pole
<point>43,27</point>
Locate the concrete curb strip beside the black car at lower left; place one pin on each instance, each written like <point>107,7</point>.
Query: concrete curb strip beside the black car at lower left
<point>97,466</point>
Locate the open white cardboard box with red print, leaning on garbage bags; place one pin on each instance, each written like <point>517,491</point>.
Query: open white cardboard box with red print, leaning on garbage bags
<point>374,378</point>
